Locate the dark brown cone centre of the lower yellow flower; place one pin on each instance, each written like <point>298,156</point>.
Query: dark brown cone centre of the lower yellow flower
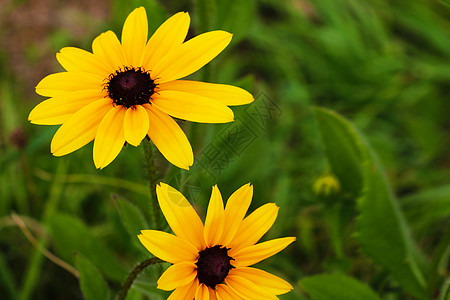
<point>213,265</point>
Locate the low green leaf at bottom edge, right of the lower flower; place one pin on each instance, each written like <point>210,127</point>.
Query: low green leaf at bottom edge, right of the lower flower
<point>336,287</point>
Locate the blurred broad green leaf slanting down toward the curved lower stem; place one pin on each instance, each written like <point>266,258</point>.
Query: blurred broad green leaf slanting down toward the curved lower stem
<point>72,235</point>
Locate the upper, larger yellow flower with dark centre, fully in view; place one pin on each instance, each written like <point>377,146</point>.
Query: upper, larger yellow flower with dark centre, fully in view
<point>125,91</point>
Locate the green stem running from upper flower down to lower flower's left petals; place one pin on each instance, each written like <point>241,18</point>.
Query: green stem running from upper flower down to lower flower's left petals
<point>151,170</point>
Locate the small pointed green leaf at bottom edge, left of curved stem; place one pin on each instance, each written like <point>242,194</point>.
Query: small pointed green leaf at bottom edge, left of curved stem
<point>92,284</point>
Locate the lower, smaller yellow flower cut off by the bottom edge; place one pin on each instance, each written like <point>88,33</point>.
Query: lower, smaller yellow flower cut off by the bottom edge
<point>211,261</point>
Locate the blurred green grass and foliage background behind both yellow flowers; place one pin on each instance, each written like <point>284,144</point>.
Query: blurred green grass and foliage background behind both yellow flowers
<point>383,65</point>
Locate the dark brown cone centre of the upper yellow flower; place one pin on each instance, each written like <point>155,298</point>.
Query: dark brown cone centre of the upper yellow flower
<point>130,87</point>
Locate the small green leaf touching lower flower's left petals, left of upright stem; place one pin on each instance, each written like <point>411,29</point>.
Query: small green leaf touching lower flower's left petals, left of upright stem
<point>131,216</point>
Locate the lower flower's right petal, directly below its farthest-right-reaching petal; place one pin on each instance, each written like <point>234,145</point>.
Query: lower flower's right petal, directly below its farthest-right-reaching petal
<point>270,282</point>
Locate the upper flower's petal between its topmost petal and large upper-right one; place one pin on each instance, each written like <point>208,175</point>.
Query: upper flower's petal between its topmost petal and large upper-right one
<point>168,36</point>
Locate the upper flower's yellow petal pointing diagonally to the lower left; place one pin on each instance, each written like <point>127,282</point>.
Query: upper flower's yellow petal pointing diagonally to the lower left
<point>80,128</point>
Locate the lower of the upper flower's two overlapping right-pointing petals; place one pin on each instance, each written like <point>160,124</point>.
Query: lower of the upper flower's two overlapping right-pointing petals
<point>193,108</point>
